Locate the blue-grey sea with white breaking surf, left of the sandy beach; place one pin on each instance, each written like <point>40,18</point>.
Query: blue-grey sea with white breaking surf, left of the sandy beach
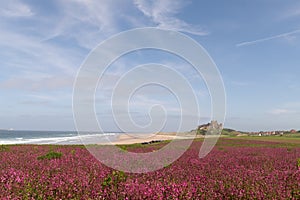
<point>54,137</point>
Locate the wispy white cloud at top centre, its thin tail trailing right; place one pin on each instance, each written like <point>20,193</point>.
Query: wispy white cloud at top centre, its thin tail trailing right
<point>162,13</point>
